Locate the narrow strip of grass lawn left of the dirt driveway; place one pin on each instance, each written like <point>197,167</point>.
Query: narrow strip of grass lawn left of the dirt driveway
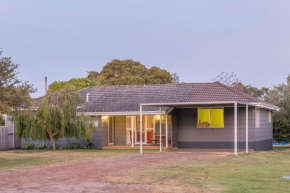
<point>19,159</point>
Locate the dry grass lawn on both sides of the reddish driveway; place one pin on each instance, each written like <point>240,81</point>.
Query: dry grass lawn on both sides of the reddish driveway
<point>253,172</point>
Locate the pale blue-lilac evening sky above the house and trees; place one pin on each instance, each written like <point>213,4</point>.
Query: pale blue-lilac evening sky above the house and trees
<point>195,39</point>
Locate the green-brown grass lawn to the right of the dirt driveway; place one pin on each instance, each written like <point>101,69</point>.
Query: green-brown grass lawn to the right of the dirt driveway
<point>254,172</point>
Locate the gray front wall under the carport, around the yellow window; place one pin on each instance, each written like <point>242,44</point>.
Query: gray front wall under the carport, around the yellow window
<point>191,136</point>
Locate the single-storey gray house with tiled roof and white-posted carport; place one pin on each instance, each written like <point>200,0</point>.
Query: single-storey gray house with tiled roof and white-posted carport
<point>187,115</point>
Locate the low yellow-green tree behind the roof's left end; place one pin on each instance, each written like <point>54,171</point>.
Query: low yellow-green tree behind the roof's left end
<point>74,83</point>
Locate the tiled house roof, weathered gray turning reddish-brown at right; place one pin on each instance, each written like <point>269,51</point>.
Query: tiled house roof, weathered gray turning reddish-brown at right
<point>129,97</point>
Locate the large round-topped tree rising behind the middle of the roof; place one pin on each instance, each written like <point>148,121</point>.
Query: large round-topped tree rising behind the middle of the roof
<point>129,72</point>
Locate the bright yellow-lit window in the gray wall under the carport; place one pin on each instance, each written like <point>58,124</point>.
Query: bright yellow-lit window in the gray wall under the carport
<point>210,118</point>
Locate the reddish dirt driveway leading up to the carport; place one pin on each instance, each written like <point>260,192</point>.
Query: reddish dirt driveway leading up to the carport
<point>89,176</point>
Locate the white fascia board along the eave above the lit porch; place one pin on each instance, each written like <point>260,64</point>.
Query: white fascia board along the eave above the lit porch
<point>126,113</point>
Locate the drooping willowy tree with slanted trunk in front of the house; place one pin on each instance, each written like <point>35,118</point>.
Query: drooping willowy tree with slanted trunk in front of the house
<point>55,118</point>
